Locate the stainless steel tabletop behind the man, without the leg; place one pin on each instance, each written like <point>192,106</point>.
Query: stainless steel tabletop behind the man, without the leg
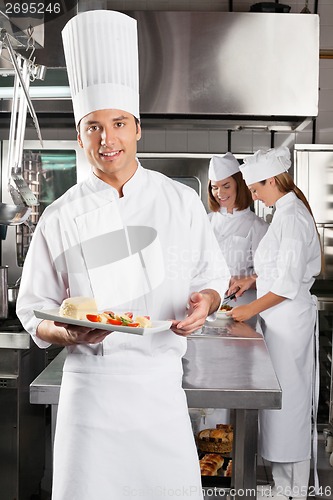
<point>222,369</point>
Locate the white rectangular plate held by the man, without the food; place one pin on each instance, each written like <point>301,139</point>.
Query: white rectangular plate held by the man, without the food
<point>53,315</point>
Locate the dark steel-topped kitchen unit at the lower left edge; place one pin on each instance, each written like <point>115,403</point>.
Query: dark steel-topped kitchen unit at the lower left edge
<point>22,425</point>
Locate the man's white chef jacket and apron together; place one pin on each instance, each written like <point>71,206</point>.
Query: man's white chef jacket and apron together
<point>123,427</point>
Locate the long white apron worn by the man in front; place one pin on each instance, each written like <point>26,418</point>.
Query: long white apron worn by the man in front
<point>123,431</point>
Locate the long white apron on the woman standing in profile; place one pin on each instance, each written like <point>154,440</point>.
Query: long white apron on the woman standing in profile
<point>285,435</point>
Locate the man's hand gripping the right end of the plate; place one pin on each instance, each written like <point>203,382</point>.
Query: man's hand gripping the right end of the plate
<point>199,307</point>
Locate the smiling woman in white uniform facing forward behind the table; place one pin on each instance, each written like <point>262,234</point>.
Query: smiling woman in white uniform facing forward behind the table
<point>238,230</point>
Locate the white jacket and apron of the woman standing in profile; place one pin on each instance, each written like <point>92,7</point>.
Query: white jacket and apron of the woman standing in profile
<point>286,262</point>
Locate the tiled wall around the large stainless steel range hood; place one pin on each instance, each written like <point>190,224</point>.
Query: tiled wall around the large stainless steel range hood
<point>208,140</point>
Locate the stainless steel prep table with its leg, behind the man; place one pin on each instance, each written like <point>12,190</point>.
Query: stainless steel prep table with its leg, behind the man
<point>222,369</point>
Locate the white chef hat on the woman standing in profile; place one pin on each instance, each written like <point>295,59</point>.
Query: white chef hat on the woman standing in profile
<point>265,164</point>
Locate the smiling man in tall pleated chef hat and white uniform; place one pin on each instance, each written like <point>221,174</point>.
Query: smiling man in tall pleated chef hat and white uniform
<point>123,429</point>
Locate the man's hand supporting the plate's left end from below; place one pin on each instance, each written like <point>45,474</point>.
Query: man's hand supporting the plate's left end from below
<point>64,334</point>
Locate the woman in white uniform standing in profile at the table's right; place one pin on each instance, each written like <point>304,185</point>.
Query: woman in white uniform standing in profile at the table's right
<point>286,262</point>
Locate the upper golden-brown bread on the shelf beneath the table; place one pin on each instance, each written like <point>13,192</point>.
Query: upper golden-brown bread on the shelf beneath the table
<point>218,440</point>
